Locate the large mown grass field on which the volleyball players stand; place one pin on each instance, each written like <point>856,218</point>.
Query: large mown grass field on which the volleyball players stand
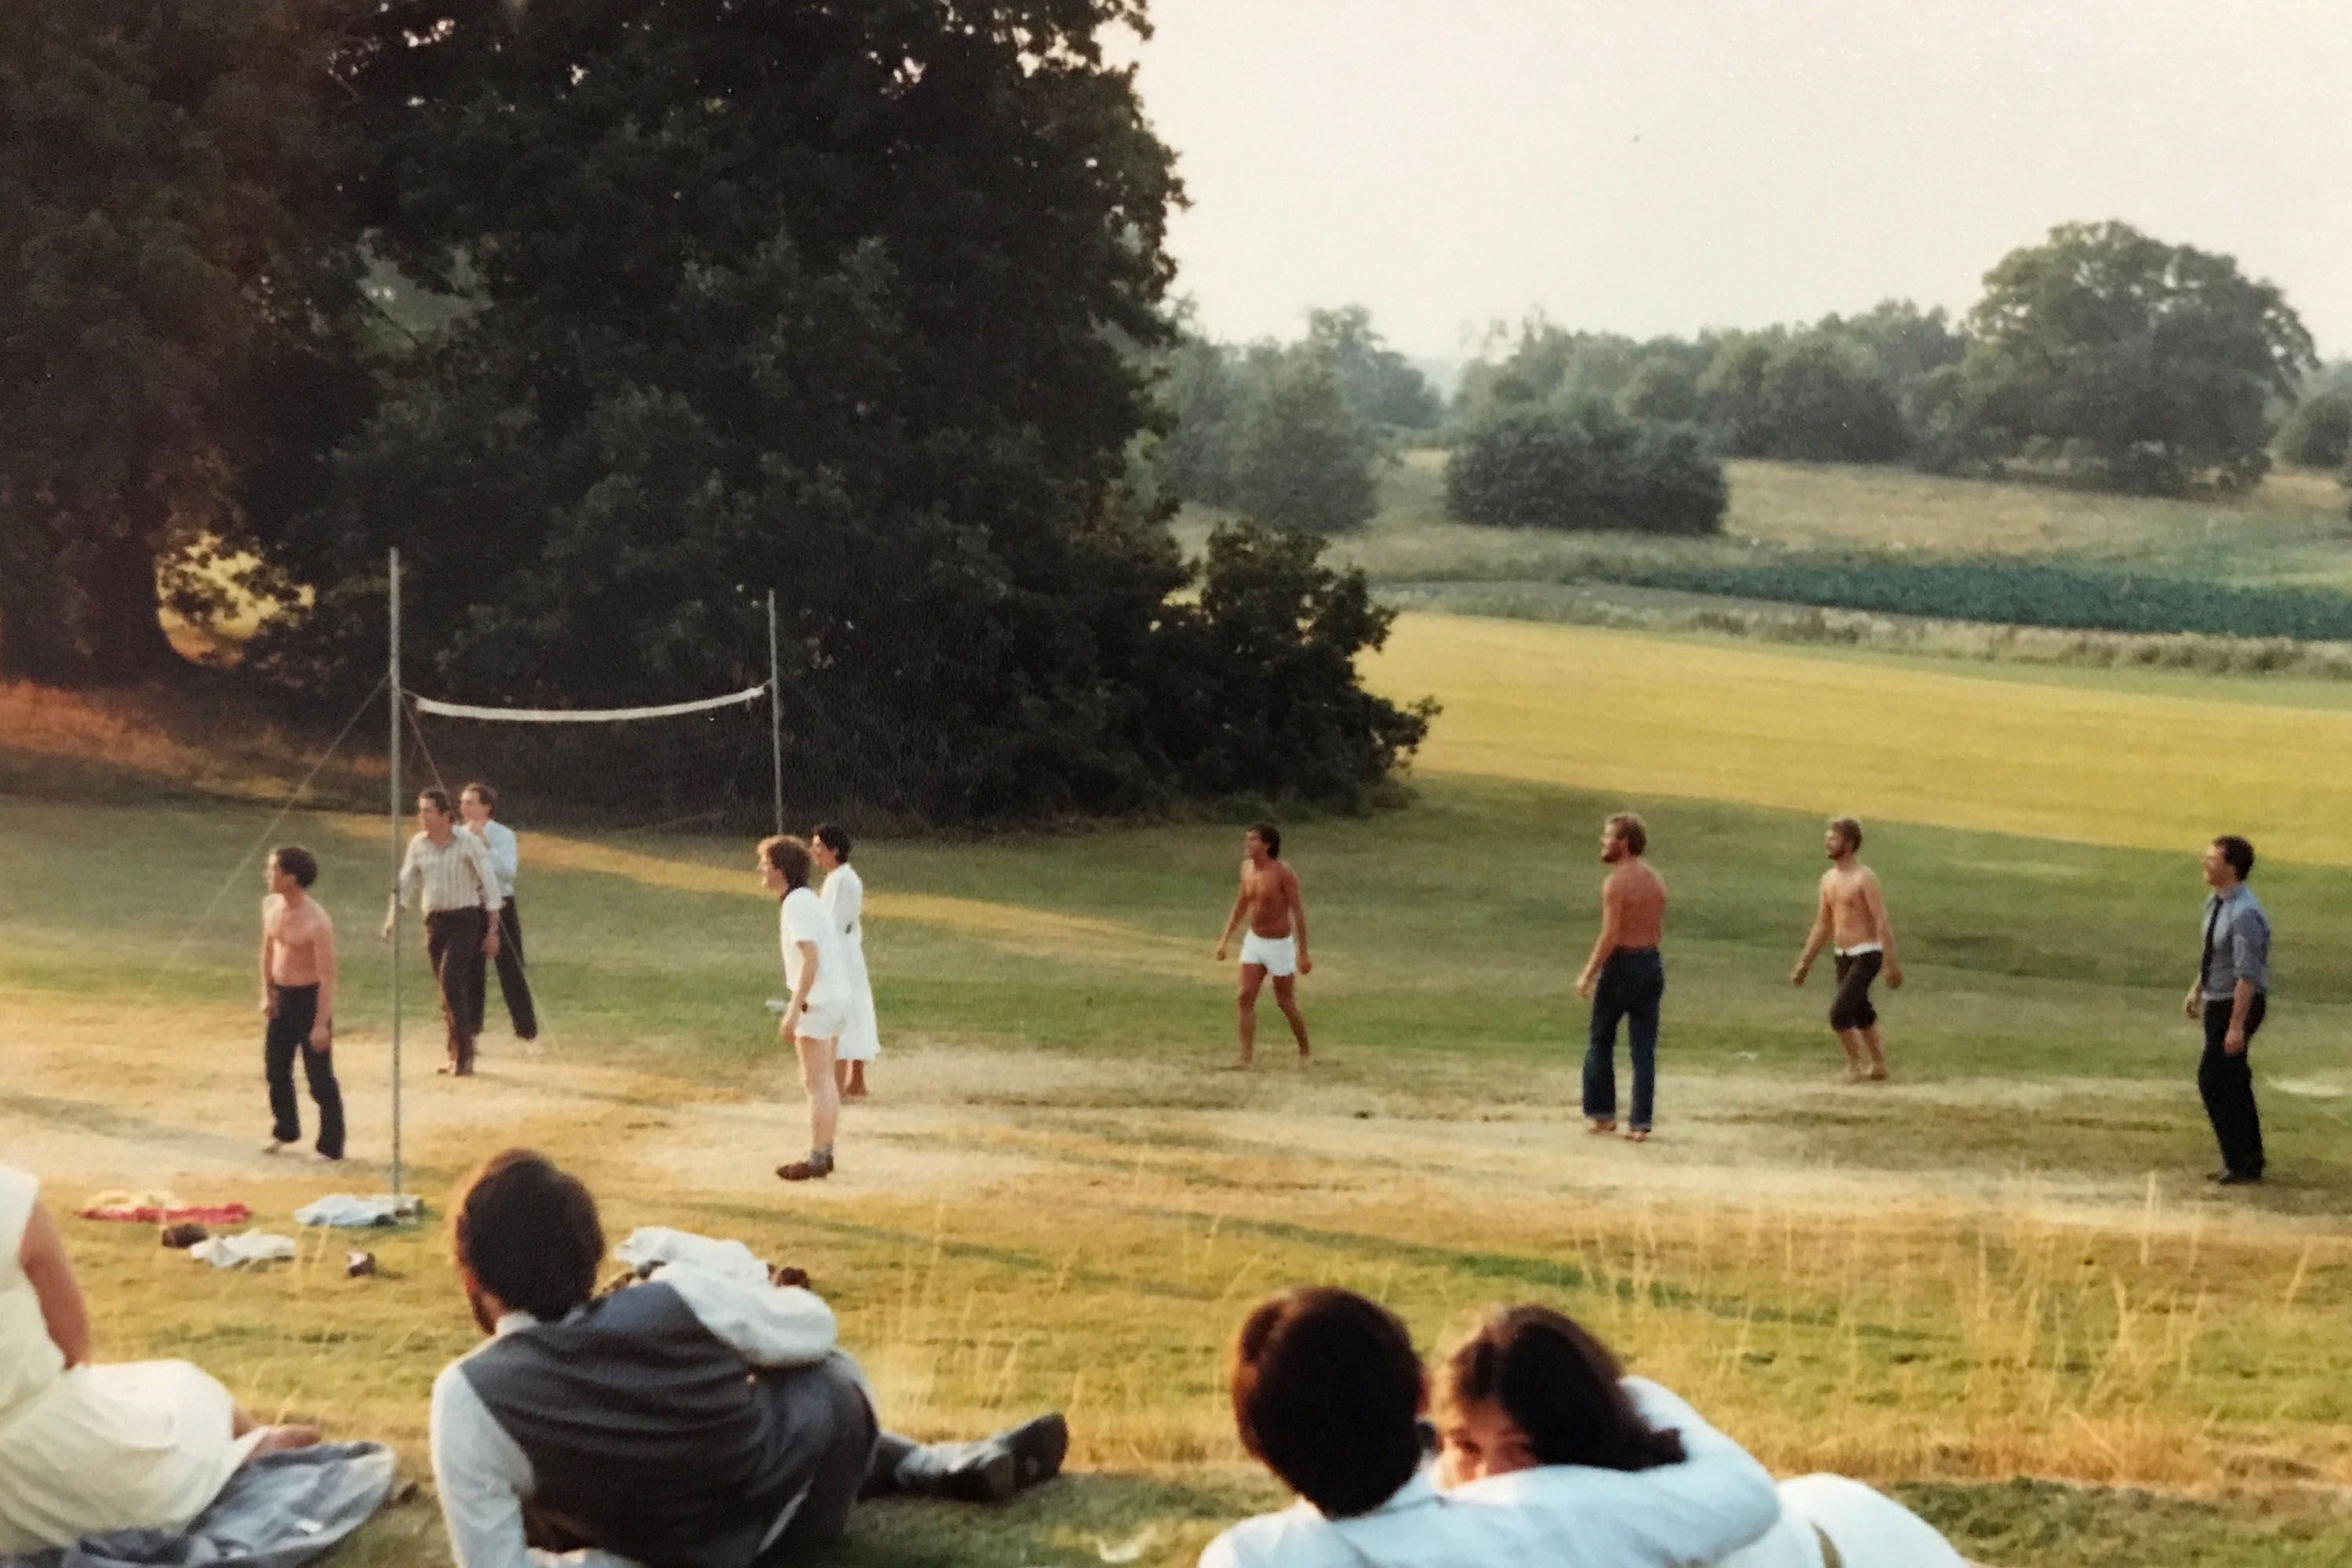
<point>1996,1285</point>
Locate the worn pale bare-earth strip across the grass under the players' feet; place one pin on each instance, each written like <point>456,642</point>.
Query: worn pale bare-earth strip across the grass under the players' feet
<point>175,1104</point>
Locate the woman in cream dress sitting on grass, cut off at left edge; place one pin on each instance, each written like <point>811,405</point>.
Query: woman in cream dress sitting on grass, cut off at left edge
<point>91,1449</point>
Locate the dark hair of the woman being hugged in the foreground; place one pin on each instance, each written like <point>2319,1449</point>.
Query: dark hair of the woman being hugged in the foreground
<point>1561,1388</point>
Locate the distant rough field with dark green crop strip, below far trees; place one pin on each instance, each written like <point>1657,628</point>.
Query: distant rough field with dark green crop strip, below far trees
<point>1887,544</point>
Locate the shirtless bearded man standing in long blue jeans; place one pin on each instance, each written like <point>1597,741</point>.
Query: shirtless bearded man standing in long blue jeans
<point>1624,979</point>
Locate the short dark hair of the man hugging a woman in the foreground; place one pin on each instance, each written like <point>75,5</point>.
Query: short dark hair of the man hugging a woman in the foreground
<point>1328,1395</point>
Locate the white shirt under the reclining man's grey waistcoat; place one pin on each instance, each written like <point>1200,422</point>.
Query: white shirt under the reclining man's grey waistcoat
<point>483,1475</point>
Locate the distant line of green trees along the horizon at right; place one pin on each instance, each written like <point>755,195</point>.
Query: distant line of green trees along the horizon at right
<point>2097,356</point>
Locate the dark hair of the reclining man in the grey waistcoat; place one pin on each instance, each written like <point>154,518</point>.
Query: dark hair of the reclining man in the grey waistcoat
<point>528,1233</point>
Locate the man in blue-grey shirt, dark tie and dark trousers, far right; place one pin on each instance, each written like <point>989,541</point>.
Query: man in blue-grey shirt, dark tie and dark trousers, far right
<point>2231,998</point>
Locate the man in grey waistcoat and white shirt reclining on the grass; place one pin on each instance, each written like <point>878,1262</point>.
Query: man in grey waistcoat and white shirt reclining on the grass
<point>693,1421</point>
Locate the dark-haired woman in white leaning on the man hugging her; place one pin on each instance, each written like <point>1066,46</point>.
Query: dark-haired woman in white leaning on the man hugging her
<point>1532,1388</point>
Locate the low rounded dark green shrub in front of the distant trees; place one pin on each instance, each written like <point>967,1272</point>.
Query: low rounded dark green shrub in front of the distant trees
<point>1584,469</point>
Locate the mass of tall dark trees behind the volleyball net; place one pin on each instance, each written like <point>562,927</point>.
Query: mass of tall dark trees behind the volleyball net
<point>615,319</point>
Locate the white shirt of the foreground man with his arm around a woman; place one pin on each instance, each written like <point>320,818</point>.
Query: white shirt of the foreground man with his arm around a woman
<point>1549,1517</point>
